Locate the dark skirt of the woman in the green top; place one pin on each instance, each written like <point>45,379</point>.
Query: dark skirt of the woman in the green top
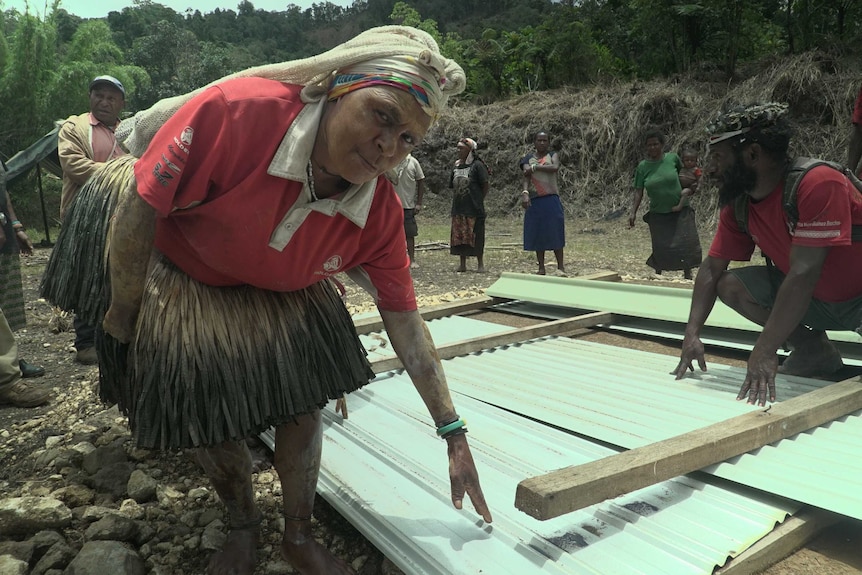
<point>675,243</point>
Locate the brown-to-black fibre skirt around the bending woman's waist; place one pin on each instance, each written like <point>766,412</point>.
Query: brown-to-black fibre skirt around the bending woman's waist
<point>211,364</point>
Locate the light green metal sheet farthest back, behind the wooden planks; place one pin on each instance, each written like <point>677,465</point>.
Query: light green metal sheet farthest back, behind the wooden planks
<point>651,302</point>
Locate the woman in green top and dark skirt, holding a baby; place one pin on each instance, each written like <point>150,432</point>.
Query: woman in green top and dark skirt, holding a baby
<point>675,244</point>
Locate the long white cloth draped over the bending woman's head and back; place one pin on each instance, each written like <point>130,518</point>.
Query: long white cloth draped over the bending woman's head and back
<point>316,74</point>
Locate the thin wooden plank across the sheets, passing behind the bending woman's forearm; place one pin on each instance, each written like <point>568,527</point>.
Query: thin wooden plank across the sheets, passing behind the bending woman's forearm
<point>560,327</point>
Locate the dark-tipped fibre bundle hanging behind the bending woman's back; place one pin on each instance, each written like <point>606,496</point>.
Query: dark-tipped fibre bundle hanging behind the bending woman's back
<point>75,278</point>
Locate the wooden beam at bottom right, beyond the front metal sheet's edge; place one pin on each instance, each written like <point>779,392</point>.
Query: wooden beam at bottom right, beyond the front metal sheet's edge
<point>795,532</point>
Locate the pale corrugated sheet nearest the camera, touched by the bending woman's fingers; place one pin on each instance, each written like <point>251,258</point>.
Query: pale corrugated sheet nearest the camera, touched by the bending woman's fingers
<point>385,470</point>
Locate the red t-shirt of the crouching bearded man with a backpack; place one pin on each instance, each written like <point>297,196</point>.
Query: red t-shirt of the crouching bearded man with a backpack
<point>828,206</point>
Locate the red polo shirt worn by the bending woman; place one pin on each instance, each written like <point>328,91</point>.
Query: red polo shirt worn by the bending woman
<point>205,173</point>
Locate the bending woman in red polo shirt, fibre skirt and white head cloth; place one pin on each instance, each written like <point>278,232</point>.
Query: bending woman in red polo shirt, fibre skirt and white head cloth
<point>247,197</point>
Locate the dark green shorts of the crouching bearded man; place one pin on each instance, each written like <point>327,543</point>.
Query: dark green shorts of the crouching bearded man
<point>762,284</point>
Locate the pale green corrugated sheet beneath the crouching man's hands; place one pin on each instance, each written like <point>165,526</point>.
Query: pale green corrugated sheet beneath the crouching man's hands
<point>627,398</point>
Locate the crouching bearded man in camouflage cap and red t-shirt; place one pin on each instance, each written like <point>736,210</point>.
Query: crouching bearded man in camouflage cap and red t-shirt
<point>816,280</point>
